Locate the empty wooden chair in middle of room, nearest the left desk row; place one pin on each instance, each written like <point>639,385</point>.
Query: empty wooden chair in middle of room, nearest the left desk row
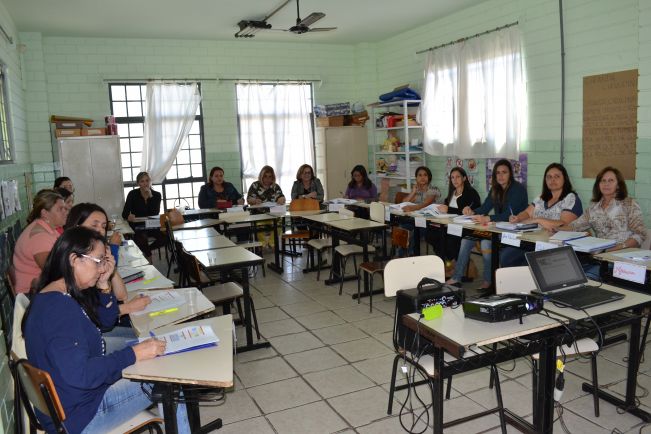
<point>220,294</point>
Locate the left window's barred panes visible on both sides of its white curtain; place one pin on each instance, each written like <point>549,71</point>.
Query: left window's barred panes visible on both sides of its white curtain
<point>187,174</point>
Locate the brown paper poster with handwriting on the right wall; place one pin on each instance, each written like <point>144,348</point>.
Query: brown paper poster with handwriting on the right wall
<point>610,122</point>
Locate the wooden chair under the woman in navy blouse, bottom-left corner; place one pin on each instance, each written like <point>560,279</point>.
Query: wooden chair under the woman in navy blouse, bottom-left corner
<point>37,390</point>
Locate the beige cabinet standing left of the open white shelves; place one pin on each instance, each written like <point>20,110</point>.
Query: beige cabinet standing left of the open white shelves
<point>338,150</point>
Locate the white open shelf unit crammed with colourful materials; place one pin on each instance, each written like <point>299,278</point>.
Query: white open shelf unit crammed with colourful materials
<point>397,163</point>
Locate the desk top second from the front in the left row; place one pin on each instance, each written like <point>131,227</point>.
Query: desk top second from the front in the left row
<point>142,324</point>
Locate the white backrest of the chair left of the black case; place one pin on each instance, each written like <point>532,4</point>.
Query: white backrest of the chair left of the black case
<point>406,273</point>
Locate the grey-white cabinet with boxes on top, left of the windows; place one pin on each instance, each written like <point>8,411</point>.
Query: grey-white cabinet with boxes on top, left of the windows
<point>93,165</point>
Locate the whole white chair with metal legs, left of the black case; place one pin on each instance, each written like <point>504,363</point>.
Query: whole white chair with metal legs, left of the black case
<point>406,273</point>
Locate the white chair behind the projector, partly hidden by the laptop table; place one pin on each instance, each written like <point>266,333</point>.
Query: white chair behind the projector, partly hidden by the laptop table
<point>519,279</point>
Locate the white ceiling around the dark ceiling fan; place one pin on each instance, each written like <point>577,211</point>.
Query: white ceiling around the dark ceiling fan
<point>357,20</point>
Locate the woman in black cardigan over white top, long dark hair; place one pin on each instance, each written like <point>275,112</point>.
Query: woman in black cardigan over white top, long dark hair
<point>460,195</point>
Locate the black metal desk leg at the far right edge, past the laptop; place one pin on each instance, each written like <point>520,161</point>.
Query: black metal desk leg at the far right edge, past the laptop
<point>627,404</point>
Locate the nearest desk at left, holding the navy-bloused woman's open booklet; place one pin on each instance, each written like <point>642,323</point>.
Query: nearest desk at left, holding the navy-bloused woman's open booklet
<point>209,367</point>
